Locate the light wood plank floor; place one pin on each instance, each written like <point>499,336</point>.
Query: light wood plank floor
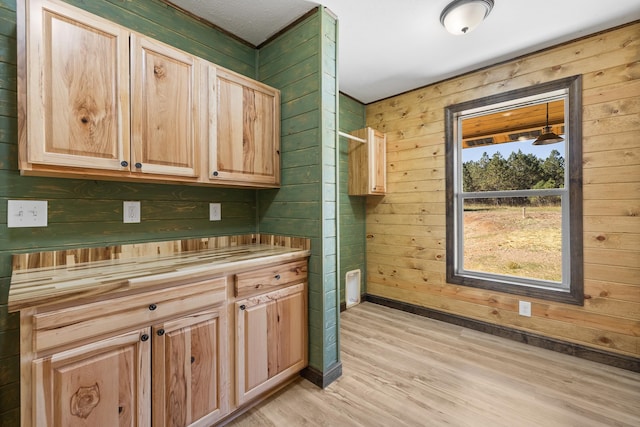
<point>401,369</point>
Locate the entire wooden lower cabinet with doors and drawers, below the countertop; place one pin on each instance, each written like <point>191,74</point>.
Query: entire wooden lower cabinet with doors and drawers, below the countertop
<point>165,357</point>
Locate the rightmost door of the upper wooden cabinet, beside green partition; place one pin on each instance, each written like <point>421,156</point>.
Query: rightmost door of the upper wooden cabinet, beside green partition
<point>245,135</point>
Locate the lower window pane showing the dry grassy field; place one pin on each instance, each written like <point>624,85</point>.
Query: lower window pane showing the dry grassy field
<point>514,236</point>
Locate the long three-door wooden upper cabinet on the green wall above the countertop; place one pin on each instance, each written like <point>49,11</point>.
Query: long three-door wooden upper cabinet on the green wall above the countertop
<point>100,101</point>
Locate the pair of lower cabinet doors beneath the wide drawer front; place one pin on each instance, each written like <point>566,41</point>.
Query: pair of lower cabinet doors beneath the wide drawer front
<point>172,374</point>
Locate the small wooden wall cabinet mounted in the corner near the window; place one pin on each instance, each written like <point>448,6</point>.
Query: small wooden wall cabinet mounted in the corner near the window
<point>368,163</point>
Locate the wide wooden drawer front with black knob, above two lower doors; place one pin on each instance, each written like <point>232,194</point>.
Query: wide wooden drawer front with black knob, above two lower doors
<point>64,326</point>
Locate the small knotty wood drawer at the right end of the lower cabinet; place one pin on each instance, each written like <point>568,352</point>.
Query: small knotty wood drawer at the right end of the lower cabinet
<point>268,278</point>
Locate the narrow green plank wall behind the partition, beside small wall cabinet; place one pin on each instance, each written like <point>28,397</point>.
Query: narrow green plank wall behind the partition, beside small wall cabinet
<point>352,208</point>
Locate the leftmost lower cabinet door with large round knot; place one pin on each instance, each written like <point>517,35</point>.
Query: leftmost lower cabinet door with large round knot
<point>105,383</point>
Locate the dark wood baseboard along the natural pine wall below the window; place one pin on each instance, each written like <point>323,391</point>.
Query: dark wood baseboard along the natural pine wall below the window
<point>595,355</point>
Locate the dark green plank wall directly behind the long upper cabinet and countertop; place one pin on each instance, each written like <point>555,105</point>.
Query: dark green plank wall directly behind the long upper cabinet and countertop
<point>89,213</point>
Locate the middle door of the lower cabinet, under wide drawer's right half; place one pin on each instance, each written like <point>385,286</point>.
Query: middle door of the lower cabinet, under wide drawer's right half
<point>189,370</point>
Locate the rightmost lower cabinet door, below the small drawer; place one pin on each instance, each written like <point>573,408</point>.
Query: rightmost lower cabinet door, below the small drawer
<point>271,340</point>
